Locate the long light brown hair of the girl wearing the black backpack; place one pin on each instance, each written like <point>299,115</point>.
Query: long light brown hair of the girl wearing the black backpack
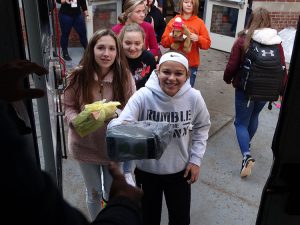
<point>260,18</point>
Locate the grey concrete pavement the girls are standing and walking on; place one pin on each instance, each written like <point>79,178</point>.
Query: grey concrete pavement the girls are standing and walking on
<point>220,196</point>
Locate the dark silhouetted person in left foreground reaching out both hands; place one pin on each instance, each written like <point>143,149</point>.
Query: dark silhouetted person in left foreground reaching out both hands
<point>39,201</point>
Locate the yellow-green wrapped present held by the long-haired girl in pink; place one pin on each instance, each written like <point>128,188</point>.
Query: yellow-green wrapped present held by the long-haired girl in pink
<point>93,116</point>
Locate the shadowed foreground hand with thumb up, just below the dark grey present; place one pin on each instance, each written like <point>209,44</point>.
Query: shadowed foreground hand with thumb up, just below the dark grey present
<point>120,187</point>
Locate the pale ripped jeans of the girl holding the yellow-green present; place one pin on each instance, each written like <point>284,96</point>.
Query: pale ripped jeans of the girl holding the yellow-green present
<point>95,176</point>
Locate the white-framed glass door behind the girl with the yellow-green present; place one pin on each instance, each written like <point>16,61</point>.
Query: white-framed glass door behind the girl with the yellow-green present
<point>104,14</point>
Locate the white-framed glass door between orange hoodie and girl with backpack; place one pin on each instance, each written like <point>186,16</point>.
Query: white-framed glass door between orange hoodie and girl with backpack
<point>224,19</point>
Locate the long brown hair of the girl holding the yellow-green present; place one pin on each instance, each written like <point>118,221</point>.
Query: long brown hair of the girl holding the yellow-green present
<point>82,78</point>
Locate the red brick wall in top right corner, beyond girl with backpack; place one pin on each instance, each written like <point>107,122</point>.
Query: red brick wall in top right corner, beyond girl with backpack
<point>284,13</point>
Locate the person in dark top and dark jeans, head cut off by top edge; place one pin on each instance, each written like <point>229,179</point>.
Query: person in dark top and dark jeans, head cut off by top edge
<point>70,15</point>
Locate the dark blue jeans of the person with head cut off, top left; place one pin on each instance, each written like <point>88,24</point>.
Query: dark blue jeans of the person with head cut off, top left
<point>66,24</point>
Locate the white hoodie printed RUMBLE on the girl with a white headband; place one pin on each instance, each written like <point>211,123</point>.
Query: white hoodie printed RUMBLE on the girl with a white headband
<point>184,109</point>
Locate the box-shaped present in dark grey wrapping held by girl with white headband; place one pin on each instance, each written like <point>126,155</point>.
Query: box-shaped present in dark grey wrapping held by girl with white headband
<point>138,140</point>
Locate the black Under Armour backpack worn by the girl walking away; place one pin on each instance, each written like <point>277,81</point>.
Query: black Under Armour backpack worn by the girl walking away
<point>262,73</point>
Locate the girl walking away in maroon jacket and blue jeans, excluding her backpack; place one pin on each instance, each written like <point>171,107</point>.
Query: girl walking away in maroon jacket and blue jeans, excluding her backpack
<point>246,117</point>
